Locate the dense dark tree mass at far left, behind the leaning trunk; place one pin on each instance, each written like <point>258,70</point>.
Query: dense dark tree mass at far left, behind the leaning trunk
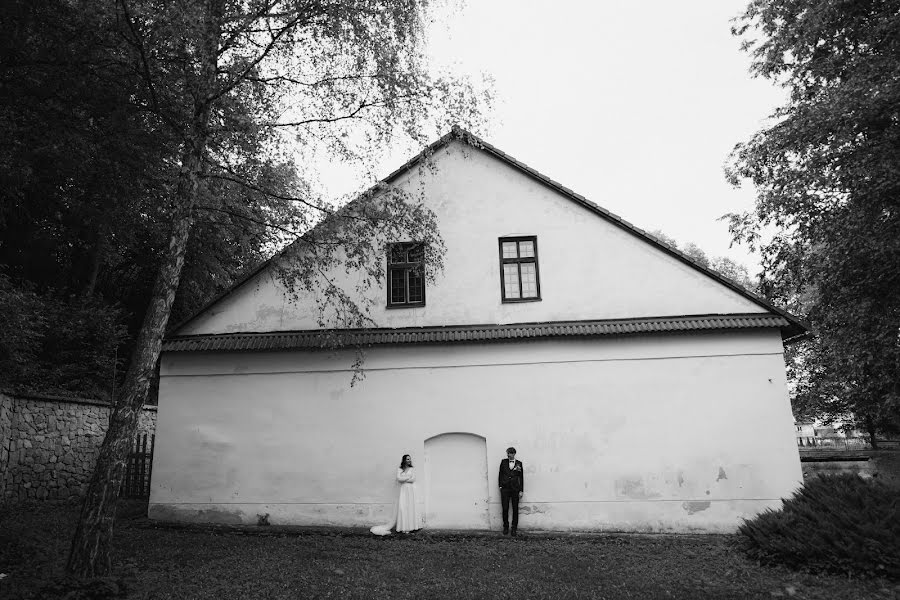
<point>76,161</point>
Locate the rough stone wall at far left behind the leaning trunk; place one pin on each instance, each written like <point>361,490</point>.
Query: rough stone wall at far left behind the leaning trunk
<point>49,445</point>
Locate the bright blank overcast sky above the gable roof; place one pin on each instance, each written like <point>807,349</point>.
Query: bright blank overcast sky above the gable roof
<point>634,105</point>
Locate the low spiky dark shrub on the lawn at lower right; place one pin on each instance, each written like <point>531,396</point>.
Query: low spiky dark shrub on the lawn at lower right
<point>838,523</point>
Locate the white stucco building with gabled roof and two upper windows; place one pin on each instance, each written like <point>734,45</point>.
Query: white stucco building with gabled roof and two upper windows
<point>642,391</point>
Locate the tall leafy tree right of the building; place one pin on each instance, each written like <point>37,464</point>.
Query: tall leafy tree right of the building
<point>828,187</point>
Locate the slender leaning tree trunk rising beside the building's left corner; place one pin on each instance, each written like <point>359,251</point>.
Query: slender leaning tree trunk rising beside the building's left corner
<point>89,555</point>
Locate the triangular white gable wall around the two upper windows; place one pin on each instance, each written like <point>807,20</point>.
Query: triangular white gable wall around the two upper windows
<point>589,268</point>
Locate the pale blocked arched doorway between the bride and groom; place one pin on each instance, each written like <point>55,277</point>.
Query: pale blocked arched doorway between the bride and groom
<point>456,487</point>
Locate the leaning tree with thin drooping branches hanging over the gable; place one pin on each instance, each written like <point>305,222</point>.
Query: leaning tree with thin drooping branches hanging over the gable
<point>226,80</point>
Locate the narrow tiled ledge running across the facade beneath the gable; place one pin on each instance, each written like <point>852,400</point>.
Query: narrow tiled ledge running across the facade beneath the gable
<point>331,338</point>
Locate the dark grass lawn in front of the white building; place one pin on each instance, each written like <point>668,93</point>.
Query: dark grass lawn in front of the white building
<point>162,562</point>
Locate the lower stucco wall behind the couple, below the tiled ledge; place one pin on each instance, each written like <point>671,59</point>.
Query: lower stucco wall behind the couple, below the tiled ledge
<point>643,433</point>
